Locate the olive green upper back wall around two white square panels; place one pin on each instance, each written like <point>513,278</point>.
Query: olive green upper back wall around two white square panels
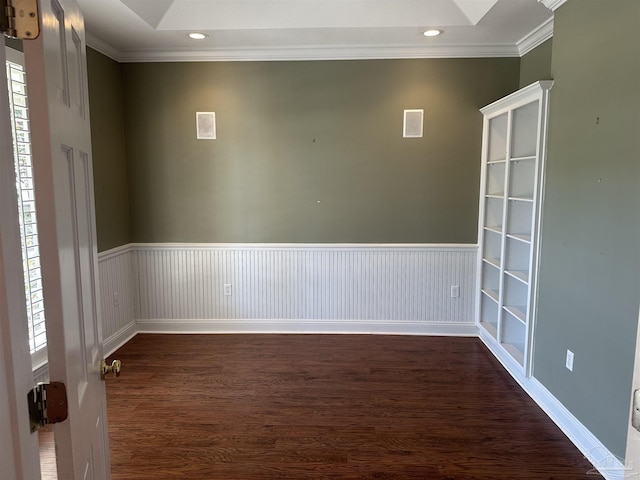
<point>308,151</point>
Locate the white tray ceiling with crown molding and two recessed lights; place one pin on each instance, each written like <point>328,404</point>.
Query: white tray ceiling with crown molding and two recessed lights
<point>156,30</point>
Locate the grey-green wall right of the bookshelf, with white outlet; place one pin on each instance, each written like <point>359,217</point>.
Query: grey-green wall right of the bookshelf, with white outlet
<point>590,260</point>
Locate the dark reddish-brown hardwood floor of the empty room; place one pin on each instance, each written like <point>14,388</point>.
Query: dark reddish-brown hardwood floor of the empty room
<point>247,407</point>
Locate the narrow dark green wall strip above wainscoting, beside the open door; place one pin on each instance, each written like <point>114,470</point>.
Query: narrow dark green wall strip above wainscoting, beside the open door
<point>109,159</point>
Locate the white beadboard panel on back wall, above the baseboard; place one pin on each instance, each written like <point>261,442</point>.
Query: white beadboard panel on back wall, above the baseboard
<point>384,284</point>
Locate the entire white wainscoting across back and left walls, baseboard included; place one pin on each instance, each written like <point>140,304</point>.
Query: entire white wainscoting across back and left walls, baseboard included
<point>292,288</point>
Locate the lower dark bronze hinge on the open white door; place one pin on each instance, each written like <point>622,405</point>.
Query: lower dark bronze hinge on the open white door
<point>47,404</point>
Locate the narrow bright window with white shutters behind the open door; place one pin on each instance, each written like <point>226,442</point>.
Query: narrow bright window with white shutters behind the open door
<point>19,112</point>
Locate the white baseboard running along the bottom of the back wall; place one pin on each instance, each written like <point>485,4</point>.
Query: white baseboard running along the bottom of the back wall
<point>358,327</point>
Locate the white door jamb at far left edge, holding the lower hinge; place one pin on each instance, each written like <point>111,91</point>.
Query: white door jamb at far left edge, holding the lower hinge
<point>18,447</point>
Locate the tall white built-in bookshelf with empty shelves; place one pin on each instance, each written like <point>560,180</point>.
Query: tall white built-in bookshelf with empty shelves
<point>513,155</point>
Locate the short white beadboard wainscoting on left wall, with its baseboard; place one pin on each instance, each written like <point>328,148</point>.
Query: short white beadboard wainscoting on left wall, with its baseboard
<point>117,277</point>
